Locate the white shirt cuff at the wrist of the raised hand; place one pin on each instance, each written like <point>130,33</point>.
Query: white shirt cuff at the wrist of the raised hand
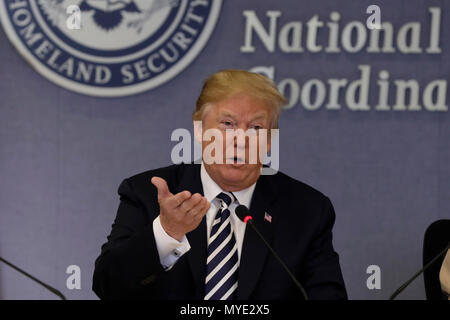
<point>169,249</point>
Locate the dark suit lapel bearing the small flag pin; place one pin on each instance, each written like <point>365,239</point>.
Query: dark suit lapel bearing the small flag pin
<point>254,252</point>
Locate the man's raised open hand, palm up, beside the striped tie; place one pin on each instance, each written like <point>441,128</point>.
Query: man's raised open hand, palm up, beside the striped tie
<point>179,213</point>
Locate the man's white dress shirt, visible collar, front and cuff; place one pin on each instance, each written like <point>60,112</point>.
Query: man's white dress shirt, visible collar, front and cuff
<point>170,249</point>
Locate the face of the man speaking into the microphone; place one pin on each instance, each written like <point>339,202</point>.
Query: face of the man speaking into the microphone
<point>238,169</point>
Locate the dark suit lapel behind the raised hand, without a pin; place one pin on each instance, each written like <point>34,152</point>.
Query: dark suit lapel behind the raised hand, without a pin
<point>190,180</point>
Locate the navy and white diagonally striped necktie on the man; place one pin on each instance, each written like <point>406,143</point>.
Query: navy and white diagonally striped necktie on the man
<point>222,262</point>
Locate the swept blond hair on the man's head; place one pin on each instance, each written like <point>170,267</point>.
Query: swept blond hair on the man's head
<point>228,83</point>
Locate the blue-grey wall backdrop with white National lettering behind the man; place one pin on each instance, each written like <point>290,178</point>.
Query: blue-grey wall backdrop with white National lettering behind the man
<point>385,164</point>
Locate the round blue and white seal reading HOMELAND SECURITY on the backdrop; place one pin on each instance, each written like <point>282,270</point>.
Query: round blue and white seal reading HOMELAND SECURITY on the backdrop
<point>121,47</point>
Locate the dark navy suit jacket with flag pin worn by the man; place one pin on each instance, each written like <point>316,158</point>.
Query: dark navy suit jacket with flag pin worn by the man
<point>300,232</point>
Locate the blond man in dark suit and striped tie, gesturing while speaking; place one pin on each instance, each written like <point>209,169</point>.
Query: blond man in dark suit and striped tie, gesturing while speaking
<point>177,236</point>
